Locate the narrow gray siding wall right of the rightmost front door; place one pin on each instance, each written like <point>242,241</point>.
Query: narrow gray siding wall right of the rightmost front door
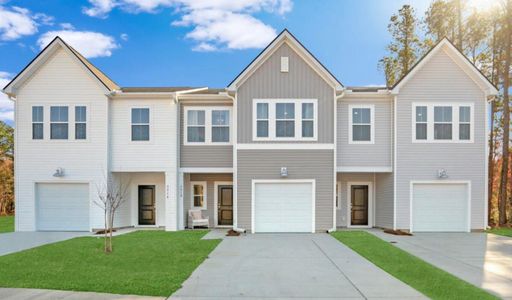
<point>384,200</point>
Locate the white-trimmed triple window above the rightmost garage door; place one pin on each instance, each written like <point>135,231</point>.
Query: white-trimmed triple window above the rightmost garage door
<point>442,122</point>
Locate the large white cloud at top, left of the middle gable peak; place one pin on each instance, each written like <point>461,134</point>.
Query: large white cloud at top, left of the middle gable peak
<point>216,25</point>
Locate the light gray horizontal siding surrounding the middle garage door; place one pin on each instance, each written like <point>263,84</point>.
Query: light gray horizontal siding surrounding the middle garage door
<point>302,164</point>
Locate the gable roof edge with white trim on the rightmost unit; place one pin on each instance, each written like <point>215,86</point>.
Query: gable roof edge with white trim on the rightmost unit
<point>461,59</point>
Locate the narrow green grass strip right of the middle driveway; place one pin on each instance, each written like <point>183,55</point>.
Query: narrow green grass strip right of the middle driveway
<point>427,279</point>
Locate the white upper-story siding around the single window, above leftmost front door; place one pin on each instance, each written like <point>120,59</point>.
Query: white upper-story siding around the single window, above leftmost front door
<point>157,154</point>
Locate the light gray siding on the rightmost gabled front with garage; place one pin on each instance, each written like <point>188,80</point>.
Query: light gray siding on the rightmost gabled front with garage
<point>440,80</point>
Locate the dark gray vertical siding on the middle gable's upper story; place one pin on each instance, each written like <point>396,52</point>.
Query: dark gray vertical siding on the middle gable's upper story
<point>302,82</point>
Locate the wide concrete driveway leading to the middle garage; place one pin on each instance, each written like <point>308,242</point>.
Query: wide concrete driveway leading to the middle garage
<point>289,266</point>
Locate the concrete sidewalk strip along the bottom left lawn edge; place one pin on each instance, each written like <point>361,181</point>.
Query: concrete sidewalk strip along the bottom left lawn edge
<point>36,294</point>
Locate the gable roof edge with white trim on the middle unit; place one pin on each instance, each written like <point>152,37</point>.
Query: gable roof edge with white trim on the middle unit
<point>288,37</point>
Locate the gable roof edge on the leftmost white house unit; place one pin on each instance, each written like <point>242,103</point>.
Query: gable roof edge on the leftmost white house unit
<point>33,65</point>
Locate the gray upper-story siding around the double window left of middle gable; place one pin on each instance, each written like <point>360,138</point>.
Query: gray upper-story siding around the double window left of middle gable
<point>204,156</point>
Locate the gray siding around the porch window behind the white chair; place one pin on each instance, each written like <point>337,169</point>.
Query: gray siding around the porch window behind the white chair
<point>210,193</point>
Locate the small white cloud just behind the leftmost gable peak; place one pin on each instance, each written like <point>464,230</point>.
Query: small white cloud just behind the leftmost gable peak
<point>89,44</point>
